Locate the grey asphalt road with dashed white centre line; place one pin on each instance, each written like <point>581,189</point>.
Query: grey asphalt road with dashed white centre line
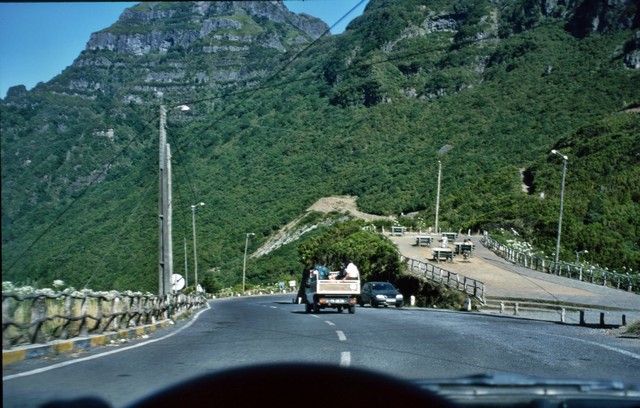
<point>406,343</point>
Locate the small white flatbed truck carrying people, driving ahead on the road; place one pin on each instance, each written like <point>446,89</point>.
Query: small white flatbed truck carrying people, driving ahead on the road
<point>331,293</point>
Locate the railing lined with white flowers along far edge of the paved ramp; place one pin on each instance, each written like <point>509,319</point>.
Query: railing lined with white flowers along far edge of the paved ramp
<point>591,274</point>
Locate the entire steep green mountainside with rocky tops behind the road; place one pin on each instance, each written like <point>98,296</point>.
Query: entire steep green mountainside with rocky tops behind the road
<point>282,115</point>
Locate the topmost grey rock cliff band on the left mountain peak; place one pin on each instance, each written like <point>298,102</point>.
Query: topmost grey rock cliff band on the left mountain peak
<point>158,26</point>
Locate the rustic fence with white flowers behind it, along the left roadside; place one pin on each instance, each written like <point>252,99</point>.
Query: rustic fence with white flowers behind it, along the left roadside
<point>42,317</point>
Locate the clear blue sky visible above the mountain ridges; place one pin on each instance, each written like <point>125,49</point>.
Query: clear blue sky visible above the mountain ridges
<point>39,40</point>
